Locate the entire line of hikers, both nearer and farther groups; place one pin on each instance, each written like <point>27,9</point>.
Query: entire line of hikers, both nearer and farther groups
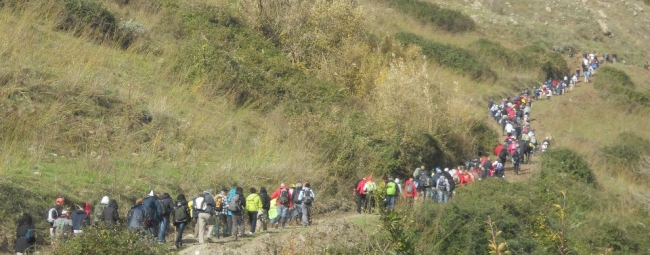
<point>224,214</point>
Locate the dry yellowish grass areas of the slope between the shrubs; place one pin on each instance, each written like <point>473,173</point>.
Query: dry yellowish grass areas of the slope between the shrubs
<point>244,139</point>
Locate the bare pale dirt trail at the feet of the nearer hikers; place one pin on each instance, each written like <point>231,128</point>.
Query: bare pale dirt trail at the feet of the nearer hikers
<point>331,231</point>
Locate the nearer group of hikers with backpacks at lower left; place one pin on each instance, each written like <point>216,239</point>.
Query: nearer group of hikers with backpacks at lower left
<point>213,215</point>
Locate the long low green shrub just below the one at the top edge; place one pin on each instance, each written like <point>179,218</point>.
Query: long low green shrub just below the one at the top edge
<point>453,57</point>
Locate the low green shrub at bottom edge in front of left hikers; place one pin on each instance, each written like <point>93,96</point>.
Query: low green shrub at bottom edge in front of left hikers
<point>108,241</point>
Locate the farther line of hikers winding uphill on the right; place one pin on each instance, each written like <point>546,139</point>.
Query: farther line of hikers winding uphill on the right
<point>520,144</point>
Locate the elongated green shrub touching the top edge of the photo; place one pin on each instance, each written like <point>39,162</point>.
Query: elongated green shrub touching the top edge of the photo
<point>446,19</point>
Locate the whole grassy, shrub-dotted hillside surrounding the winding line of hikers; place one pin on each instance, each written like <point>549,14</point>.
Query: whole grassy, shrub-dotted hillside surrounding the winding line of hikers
<point>114,97</point>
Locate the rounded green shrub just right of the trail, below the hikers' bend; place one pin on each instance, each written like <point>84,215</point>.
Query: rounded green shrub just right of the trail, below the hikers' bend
<point>568,164</point>
